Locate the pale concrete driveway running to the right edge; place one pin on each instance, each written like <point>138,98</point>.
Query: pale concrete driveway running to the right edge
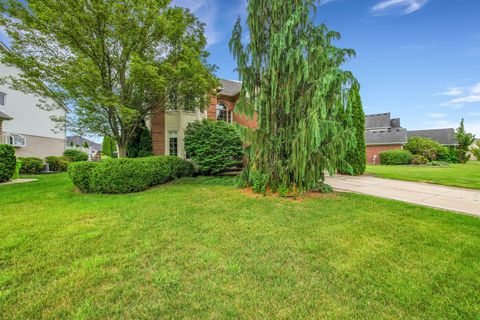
<point>430,195</point>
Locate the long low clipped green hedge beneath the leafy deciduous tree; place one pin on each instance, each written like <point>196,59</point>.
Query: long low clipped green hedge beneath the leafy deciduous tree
<point>116,176</point>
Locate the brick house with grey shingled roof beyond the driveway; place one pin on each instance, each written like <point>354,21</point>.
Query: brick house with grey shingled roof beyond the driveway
<point>383,133</point>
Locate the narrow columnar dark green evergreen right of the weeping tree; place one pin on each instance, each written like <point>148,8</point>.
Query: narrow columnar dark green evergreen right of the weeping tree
<point>356,157</point>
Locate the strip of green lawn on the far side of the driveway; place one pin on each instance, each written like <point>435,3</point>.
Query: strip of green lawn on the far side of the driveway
<point>456,175</point>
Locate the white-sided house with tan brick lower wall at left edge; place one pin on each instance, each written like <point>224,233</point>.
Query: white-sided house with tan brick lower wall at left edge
<point>24,125</point>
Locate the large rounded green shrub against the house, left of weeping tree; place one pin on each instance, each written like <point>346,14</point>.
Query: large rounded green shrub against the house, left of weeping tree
<point>214,146</point>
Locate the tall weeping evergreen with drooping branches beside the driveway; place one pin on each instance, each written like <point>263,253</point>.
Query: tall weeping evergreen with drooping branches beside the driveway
<point>292,78</point>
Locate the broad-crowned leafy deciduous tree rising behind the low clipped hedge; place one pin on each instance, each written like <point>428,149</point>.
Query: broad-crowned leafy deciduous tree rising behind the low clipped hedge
<point>114,62</point>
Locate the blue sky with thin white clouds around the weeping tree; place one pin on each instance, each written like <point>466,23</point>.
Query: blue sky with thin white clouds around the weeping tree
<point>418,59</point>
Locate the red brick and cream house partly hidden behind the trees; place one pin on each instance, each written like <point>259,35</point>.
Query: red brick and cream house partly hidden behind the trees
<point>168,127</point>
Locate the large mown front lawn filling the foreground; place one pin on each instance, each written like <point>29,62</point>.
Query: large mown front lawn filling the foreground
<point>202,249</point>
